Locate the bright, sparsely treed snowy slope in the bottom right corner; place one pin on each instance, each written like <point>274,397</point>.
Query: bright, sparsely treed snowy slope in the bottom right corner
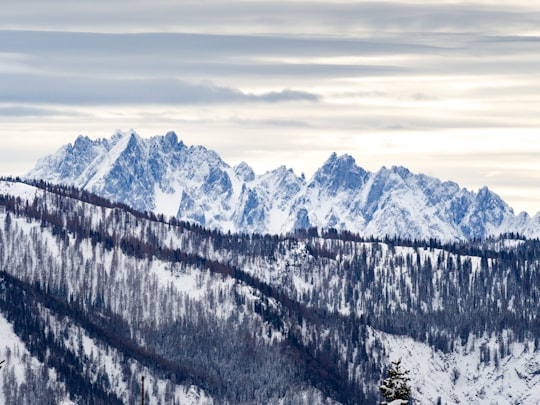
<point>461,377</point>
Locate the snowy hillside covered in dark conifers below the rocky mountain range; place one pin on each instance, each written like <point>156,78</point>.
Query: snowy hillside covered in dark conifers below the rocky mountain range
<point>100,294</point>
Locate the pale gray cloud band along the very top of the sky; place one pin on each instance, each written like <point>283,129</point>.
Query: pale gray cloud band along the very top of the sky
<point>271,16</point>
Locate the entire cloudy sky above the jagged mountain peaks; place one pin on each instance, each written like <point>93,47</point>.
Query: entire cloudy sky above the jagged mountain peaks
<point>446,88</point>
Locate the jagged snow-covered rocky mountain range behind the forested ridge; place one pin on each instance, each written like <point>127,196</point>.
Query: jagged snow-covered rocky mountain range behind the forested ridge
<point>163,175</point>
